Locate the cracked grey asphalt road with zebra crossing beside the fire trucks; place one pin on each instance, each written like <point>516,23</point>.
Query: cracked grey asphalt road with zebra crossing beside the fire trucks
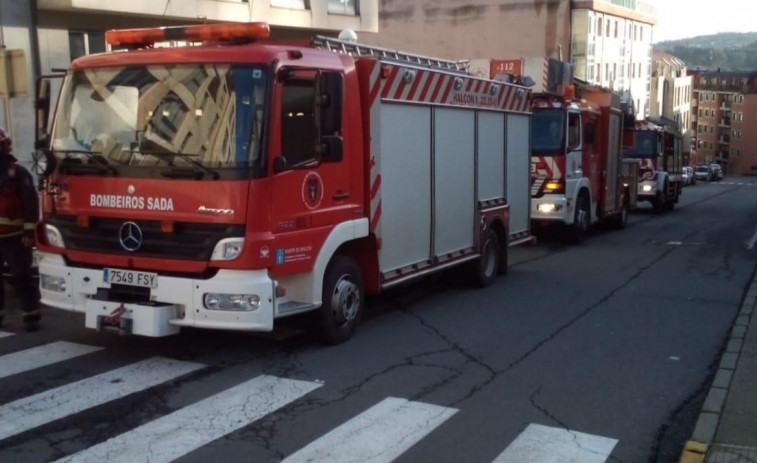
<point>599,352</point>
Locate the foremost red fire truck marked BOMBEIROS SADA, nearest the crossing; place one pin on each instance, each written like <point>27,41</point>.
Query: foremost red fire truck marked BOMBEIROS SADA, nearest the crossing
<point>236,182</point>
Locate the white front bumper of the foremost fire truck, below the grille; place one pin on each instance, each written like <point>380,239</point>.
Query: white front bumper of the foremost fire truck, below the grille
<point>174,303</point>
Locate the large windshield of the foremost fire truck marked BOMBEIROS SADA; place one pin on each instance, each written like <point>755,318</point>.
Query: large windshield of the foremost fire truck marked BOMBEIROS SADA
<point>207,117</point>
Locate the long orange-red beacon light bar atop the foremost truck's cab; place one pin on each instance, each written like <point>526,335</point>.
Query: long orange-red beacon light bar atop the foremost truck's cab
<point>200,32</point>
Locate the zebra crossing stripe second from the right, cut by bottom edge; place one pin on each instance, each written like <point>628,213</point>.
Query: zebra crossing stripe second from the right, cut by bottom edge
<point>380,434</point>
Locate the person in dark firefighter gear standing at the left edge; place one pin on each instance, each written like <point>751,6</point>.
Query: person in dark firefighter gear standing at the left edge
<point>19,213</point>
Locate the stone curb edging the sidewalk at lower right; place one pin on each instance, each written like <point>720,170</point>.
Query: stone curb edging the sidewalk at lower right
<point>695,449</point>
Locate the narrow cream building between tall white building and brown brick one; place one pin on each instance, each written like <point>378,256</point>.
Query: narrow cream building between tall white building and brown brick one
<point>671,93</point>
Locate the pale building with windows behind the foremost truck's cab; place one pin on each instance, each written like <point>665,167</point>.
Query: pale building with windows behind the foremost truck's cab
<point>52,33</point>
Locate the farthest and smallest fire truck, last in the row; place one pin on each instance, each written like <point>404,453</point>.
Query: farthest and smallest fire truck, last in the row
<point>657,147</point>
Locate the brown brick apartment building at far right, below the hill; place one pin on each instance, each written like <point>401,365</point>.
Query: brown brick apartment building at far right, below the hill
<point>724,107</point>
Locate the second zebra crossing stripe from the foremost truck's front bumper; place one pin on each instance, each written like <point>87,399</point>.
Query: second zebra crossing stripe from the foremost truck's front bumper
<point>45,407</point>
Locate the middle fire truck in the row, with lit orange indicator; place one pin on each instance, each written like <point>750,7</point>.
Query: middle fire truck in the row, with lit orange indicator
<point>578,177</point>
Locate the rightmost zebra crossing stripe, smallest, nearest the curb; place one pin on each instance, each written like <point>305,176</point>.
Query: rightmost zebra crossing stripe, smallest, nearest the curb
<point>542,444</point>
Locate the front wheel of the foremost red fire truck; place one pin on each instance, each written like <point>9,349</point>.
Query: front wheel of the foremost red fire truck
<point>343,300</point>
